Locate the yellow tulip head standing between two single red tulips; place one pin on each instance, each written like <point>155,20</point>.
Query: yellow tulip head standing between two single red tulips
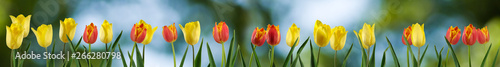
<point>191,32</point>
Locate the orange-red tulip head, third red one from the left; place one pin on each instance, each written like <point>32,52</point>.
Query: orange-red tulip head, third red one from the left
<point>170,33</point>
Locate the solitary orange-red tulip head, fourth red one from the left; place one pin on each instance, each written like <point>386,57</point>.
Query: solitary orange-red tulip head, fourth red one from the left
<point>220,32</point>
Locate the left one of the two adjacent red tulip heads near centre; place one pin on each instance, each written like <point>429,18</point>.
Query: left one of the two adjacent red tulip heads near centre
<point>258,36</point>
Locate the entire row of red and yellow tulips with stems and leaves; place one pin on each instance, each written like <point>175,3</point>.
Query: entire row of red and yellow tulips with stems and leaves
<point>323,35</point>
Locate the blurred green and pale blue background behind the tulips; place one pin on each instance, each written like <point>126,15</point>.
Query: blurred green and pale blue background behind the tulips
<point>242,16</point>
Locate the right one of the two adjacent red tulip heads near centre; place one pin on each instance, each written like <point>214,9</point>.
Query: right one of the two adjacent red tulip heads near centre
<point>273,35</point>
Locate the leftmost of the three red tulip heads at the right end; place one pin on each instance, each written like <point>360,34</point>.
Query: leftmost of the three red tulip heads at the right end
<point>453,35</point>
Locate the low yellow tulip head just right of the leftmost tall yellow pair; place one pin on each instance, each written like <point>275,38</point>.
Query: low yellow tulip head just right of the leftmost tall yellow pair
<point>43,35</point>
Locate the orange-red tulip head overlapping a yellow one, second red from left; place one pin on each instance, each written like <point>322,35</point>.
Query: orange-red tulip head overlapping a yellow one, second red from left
<point>138,32</point>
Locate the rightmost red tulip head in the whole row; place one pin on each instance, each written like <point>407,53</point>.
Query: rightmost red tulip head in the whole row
<point>483,35</point>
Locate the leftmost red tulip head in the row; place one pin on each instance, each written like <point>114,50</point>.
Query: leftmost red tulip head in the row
<point>90,34</point>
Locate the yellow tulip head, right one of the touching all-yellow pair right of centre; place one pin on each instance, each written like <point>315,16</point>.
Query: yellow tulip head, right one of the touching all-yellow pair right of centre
<point>338,38</point>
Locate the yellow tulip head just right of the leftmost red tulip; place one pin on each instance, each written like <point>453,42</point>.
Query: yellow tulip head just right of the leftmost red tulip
<point>106,32</point>
